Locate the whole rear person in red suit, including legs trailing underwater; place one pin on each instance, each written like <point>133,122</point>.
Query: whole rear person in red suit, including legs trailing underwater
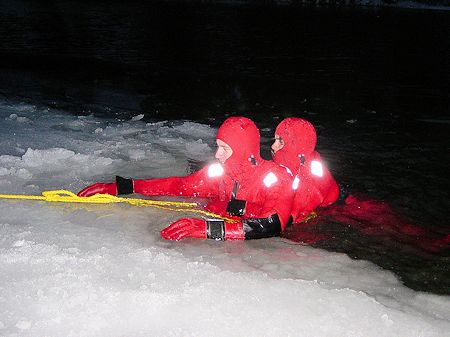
<point>295,140</point>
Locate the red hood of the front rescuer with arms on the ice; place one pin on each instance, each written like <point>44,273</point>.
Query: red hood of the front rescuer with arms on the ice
<point>242,135</point>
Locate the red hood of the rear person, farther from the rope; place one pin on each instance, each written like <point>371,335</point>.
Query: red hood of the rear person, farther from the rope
<point>299,138</point>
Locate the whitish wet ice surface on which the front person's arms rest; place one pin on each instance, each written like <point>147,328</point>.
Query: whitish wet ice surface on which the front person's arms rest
<point>103,270</point>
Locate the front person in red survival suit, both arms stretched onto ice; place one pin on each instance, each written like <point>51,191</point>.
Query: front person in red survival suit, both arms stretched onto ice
<point>255,191</point>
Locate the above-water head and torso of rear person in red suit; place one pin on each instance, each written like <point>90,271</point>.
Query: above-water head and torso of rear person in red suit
<point>295,141</point>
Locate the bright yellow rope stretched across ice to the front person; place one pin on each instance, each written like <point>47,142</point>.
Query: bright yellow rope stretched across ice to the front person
<point>67,196</point>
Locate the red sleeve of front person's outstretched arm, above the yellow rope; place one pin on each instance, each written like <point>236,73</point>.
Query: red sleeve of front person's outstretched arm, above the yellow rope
<point>198,184</point>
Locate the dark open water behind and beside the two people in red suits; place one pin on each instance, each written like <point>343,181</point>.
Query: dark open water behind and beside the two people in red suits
<point>375,82</point>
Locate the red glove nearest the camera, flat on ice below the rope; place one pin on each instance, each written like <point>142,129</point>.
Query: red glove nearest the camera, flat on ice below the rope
<point>185,228</point>
